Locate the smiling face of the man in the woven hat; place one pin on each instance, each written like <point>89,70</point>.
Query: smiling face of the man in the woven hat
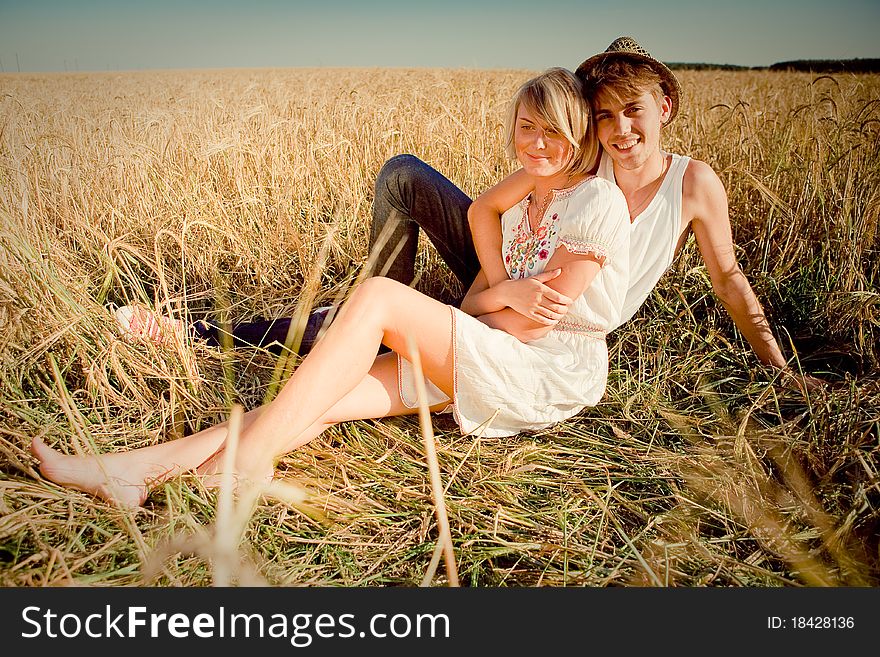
<point>629,130</point>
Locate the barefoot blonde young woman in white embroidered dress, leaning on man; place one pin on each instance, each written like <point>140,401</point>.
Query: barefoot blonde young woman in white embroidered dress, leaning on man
<point>499,372</point>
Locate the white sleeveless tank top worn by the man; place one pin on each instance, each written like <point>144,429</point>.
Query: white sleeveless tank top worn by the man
<point>654,235</point>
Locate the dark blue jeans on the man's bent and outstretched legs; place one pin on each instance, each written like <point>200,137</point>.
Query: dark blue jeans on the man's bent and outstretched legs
<point>409,195</point>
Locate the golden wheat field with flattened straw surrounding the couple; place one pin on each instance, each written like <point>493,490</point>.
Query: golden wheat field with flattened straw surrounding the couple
<point>214,192</point>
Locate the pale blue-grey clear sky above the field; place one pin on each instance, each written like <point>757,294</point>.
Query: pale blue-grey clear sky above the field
<point>58,35</point>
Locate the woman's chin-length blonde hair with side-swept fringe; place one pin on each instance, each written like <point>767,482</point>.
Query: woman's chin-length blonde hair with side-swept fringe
<point>556,98</point>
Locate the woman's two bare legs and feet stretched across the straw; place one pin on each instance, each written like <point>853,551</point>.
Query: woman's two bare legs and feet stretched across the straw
<point>384,310</point>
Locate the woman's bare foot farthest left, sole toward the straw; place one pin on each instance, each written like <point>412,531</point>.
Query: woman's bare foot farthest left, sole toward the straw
<point>90,474</point>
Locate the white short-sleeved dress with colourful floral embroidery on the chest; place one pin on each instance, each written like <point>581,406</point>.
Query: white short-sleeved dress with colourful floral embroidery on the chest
<point>504,386</point>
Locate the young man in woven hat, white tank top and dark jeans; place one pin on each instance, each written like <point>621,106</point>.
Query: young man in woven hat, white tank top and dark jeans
<point>634,96</point>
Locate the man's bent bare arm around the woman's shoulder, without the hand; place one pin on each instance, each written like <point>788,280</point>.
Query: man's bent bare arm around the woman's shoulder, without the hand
<point>484,217</point>
